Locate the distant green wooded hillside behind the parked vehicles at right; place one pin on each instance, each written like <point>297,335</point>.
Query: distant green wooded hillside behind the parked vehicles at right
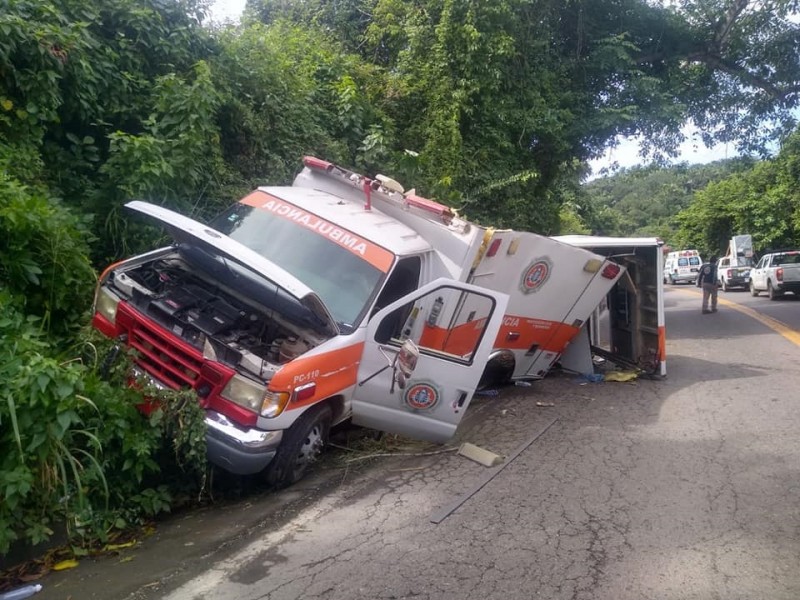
<point>702,206</point>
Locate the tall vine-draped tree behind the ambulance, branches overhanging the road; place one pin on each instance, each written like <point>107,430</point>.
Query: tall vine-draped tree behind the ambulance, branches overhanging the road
<point>505,99</point>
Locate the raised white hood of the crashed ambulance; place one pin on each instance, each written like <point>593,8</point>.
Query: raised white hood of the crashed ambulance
<point>184,229</point>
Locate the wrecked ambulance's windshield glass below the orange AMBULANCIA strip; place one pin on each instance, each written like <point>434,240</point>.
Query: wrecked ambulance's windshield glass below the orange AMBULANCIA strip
<point>344,281</point>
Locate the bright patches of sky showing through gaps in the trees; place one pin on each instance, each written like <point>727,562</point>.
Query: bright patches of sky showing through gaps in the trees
<point>626,154</point>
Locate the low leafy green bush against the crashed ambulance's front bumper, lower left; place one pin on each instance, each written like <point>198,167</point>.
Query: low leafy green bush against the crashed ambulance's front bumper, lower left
<point>74,448</point>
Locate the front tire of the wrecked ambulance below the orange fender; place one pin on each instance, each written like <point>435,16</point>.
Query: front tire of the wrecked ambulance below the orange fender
<point>301,446</point>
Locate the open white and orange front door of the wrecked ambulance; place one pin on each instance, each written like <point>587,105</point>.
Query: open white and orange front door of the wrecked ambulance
<point>423,357</point>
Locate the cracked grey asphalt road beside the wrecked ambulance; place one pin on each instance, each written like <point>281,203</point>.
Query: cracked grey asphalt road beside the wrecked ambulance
<point>681,488</point>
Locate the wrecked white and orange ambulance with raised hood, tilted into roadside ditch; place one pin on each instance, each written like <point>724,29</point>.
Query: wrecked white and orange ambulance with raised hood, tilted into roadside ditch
<point>341,297</point>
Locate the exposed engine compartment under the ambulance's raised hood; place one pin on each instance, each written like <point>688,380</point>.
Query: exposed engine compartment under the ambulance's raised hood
<point>217,319</point>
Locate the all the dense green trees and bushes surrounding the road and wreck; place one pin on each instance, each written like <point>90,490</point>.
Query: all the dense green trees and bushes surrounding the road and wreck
<point>493,106</point>
